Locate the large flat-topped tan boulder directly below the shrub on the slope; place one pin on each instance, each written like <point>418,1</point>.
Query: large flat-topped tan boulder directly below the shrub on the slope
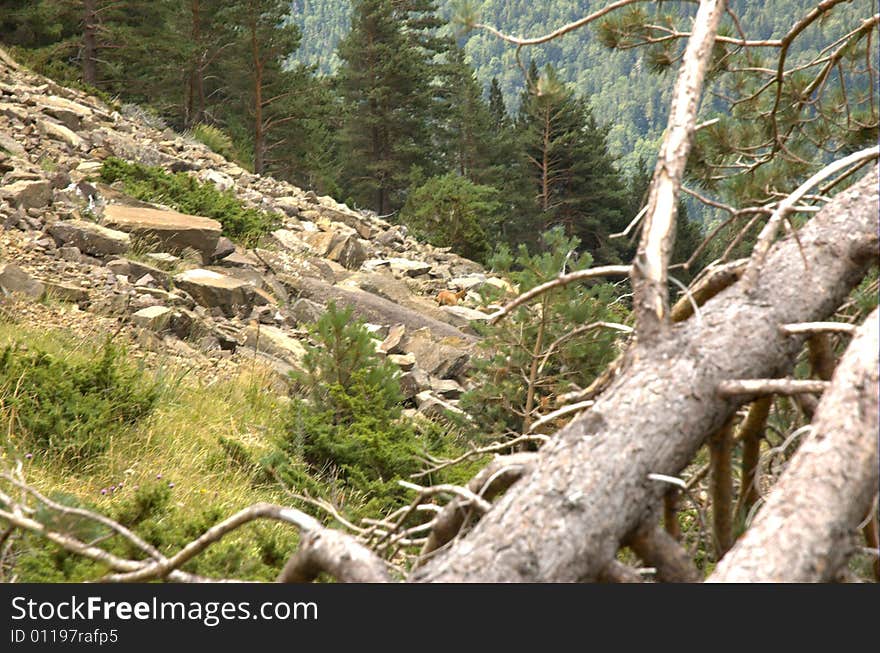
<point>167,230</point>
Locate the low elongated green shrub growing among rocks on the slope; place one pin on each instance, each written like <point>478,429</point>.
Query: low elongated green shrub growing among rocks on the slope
<point>188,195</point>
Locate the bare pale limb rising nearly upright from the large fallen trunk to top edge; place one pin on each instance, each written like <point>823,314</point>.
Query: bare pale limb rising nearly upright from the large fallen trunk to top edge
<point>649,270</point>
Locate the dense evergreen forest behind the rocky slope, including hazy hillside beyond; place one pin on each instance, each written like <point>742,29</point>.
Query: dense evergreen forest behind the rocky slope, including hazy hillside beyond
<point>398,108</point>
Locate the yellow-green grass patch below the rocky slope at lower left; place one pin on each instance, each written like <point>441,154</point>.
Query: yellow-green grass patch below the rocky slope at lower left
<point>172,461</point>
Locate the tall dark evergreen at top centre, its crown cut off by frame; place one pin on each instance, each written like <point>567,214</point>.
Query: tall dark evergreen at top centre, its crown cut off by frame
<point>385,82</point>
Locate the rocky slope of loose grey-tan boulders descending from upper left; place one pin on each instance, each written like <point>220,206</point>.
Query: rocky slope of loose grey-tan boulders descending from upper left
<point>174,285</point>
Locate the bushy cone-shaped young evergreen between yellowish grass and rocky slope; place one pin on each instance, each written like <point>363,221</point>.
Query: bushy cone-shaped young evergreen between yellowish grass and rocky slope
<point>349,424</point>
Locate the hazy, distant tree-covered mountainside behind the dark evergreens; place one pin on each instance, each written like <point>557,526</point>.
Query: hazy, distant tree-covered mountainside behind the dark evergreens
<point>622,93</point>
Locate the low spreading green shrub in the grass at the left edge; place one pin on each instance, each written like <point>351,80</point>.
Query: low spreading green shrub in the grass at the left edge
<point>71,409</point>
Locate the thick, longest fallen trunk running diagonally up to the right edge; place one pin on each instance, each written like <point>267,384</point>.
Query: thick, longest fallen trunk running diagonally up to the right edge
<point>590,488</point>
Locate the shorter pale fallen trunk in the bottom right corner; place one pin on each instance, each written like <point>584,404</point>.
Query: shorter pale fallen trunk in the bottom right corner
<point>807,528</point>
